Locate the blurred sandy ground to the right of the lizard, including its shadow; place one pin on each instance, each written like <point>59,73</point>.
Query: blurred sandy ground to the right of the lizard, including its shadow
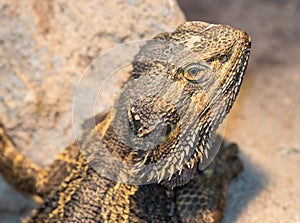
<point>265,119</point>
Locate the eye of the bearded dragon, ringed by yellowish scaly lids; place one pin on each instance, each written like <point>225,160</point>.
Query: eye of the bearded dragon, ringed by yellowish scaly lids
<point>194,72</point>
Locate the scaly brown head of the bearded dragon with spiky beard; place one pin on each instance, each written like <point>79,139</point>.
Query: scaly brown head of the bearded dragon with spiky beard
<point>182,86</point>
